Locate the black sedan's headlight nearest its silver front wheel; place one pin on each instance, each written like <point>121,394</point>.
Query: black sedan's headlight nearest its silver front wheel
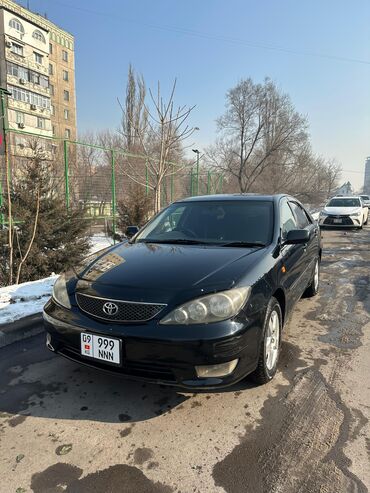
<point>211,308</point>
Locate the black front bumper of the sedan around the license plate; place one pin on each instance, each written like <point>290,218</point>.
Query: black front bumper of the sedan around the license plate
<point>161,354</point>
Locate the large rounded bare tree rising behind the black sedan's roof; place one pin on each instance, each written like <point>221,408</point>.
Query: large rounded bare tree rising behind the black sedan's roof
<point>259,126</point>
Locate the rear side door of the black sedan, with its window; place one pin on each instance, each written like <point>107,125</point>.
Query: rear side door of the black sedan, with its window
<point>312,247</point>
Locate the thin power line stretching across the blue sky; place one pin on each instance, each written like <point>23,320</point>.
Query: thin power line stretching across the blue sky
<point>218,37</point>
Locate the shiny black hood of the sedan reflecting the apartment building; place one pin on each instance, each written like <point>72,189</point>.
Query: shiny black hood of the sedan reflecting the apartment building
<point>154,272</point>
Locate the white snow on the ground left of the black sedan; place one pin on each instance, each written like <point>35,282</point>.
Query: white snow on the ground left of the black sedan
<point>25,299</point>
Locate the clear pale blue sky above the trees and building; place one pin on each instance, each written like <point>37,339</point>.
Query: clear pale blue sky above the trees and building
<point>316,51</point>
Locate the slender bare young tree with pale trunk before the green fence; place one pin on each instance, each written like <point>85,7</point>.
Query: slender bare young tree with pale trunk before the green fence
<point>161,139</point>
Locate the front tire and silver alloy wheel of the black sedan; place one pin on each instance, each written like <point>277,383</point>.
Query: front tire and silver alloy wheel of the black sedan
<point>270,347</point>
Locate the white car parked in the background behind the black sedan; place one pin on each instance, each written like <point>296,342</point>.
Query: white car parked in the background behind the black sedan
<point>344,211</point>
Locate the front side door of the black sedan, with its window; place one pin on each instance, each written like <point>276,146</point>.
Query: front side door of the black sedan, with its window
<point>293,257</point>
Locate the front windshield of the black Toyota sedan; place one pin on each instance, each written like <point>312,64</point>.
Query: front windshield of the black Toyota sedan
<point>226,223</point>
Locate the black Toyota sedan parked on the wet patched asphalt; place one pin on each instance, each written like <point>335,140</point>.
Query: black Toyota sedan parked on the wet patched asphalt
<point>197,298</point>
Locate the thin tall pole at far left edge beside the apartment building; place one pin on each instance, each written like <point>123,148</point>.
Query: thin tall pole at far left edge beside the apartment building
<point>4,151</point>
